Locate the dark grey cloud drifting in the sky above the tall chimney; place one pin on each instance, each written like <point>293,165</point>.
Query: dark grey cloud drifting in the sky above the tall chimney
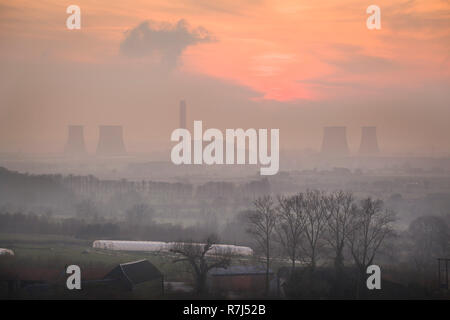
<point>163,40</point>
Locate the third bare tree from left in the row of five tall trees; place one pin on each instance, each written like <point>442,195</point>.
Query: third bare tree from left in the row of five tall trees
<point>316,216</point>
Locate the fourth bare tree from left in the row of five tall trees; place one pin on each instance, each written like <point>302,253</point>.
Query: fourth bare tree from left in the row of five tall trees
<point>341,208</point>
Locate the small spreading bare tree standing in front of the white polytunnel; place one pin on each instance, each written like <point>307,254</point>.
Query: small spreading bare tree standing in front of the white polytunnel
<point>200,259</point>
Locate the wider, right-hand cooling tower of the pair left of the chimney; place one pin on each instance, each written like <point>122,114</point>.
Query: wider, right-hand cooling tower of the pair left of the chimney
<point>110,141</point>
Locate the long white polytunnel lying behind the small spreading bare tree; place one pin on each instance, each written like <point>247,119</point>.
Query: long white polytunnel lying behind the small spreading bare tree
<point>158,246</point>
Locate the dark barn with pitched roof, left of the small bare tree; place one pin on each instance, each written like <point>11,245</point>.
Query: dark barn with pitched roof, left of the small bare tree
<point>131,274</point>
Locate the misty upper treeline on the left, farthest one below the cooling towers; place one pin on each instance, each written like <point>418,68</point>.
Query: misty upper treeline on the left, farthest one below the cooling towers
<point>60,191</point>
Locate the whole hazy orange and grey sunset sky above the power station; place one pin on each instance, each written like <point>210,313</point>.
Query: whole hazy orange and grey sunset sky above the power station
<point>293,65</point>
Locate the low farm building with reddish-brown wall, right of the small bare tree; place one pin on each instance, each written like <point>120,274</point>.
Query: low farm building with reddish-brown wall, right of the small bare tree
<point>238,279</point>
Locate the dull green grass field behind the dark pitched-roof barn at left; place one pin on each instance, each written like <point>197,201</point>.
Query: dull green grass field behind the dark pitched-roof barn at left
<point>45,257</point>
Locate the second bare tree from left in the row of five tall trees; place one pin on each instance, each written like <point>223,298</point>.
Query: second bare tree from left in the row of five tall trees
<point>291,224</point>
